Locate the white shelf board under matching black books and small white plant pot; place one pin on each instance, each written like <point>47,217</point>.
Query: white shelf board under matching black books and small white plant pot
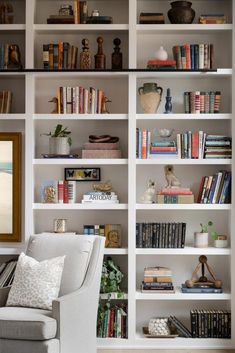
<point>188,250</point>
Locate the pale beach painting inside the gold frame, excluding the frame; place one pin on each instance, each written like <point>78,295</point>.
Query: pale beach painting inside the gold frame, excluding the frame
<point>6,187</point>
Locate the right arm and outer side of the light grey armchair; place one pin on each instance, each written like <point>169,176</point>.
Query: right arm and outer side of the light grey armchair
<point>76,313</point>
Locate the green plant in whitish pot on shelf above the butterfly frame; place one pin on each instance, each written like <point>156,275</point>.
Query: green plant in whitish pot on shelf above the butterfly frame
<point>59,141</point>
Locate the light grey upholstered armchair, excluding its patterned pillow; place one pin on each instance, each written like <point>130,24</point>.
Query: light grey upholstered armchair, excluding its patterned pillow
<point>71,325</point>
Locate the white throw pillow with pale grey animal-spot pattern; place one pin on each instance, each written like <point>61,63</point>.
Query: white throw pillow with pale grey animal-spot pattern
<point>36,284</point>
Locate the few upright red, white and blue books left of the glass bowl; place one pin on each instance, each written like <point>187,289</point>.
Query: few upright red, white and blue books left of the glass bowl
<point>143,141</point>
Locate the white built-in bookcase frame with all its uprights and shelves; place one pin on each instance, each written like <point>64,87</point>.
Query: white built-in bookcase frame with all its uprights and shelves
<point>138,303</point>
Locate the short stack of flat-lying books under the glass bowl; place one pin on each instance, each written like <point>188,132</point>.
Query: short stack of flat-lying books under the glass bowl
<point>165,148</point>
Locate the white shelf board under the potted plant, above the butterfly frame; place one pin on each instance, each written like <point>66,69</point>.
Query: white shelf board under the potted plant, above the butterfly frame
<point>72,161</point>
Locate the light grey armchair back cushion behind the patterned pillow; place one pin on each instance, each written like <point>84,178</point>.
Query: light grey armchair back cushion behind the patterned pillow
<point>77,248</point>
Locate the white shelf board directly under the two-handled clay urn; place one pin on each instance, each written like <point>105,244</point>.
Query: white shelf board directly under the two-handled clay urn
<point>225,116</point>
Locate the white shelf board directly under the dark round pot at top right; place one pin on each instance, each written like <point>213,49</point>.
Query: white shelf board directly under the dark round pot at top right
<point>182,29</point>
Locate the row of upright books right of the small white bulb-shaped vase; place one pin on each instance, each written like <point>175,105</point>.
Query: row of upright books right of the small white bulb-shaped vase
<point>194,56</point>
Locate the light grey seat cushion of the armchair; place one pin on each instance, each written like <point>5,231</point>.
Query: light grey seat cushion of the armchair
<point>26,324</point>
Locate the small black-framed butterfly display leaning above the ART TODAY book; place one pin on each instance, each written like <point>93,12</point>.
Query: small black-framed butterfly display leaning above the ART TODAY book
<point>82,174</point>
